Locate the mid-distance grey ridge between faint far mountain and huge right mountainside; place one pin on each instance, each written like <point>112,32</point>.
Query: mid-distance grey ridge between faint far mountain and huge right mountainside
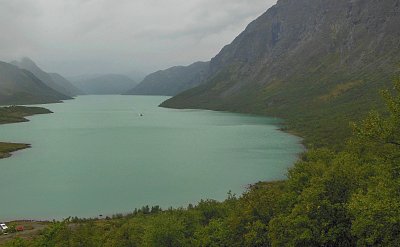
<point>173,80</point>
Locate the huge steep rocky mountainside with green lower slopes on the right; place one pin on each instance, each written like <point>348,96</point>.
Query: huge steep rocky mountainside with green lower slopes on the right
<point>316,63</point>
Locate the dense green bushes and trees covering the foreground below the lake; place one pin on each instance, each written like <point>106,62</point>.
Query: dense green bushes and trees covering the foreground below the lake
<point>331,198</point>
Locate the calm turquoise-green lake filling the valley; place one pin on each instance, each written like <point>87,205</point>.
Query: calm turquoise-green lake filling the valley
<point>97,155</point>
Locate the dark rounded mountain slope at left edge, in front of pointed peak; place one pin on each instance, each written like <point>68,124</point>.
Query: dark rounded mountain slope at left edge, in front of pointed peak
<point>19,86</point>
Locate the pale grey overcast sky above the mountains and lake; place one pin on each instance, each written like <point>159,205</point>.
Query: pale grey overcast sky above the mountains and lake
<point>76,37</point>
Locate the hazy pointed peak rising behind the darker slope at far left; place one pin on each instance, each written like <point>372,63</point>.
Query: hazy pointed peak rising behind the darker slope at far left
<point>62,86</point>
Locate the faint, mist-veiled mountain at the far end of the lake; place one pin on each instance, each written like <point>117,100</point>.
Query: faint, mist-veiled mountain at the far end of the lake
<point>104,84</point>
